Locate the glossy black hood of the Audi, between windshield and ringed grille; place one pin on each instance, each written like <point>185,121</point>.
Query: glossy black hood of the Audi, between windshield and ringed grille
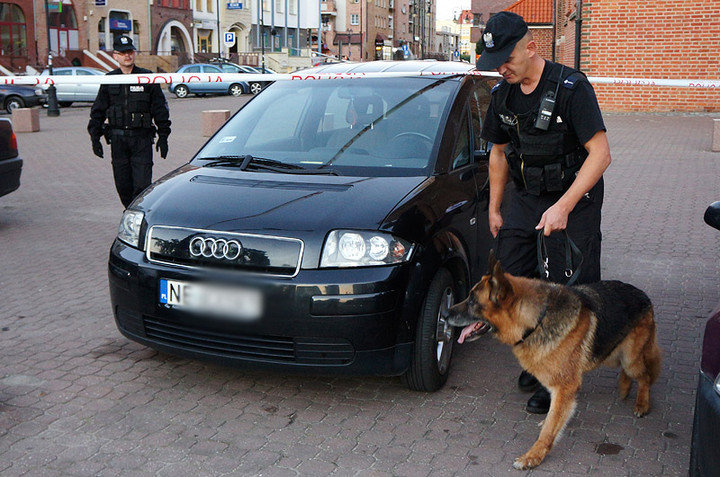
<point>284,204</point>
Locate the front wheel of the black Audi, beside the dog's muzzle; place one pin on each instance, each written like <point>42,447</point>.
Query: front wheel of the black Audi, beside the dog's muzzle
<point>434,337</point>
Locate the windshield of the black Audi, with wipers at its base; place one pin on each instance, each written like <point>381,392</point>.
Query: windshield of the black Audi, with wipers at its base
<point>369,127</point>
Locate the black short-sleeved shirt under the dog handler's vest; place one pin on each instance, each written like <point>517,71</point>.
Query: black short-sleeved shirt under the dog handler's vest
<point>582,114</point>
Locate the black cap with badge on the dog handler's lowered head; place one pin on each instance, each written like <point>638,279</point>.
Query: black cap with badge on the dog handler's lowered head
<point>499,37</point>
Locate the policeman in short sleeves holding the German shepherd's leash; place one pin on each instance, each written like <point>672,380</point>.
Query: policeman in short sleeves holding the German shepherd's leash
<point>549,139</point>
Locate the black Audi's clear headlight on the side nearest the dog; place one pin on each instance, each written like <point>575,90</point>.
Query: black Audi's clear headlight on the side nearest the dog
<point>354,248</point>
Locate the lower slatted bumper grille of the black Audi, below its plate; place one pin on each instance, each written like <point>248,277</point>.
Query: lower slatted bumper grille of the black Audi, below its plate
<point>320,351</point>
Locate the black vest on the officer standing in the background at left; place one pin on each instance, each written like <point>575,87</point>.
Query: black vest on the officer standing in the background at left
<point>129,106</point>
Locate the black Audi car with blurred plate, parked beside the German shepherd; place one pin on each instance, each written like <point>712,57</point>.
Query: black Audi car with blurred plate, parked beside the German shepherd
<point>324,228</point>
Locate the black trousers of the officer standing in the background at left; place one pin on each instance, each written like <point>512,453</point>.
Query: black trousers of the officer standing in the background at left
<point>132,164</point>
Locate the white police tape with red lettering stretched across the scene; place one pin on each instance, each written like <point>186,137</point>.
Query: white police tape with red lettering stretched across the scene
<point>178,78</point>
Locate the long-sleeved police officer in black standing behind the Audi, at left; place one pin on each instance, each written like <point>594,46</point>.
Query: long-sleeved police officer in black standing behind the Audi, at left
<point>130,111</point>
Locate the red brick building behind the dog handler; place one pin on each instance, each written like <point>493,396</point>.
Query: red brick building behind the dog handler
<point>671,39</point>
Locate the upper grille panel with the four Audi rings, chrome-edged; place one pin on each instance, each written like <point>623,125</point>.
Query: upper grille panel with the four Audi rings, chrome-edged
<point>262,254</point>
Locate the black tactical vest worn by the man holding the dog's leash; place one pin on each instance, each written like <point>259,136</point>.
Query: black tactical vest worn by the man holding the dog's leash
<point>542,161</point>
